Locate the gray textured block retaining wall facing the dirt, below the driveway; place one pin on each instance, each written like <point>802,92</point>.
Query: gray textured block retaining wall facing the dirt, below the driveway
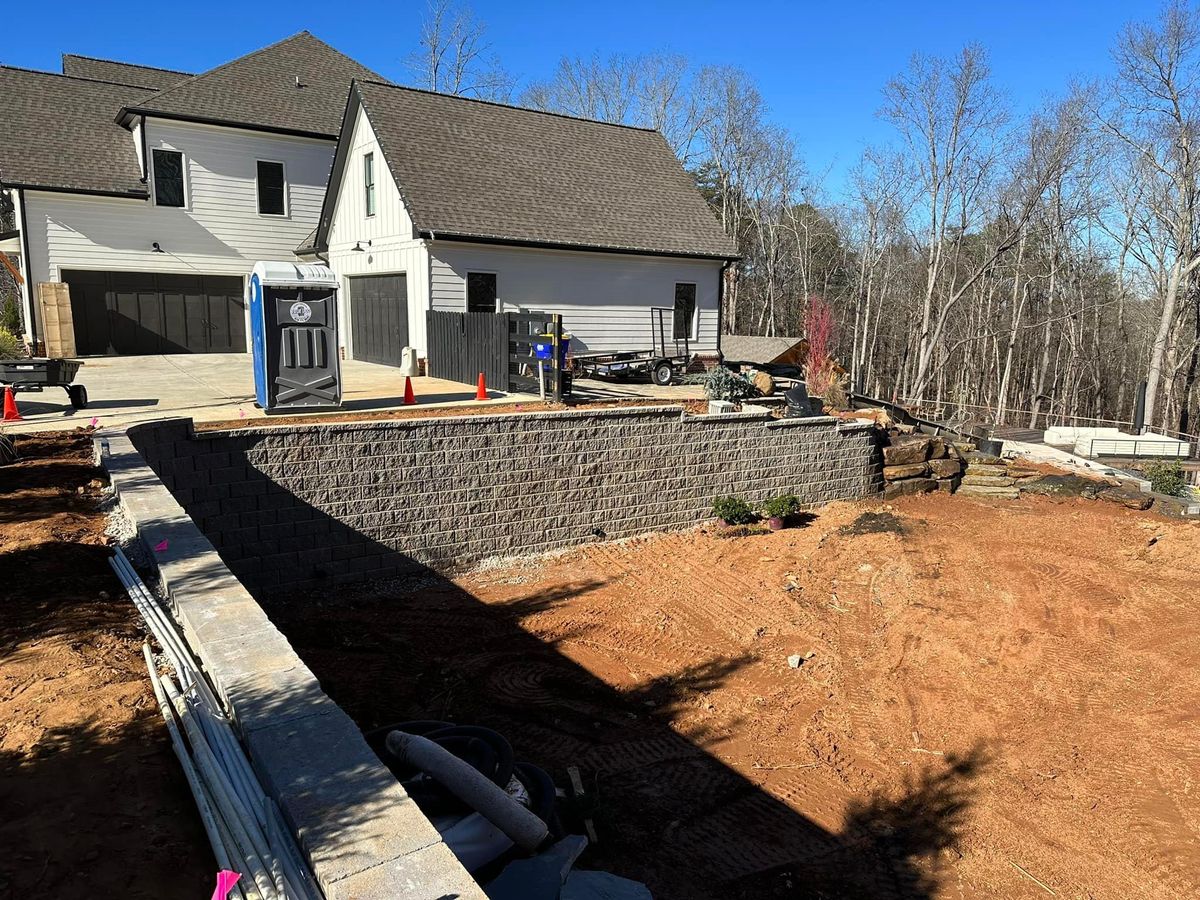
<point>293,506</point>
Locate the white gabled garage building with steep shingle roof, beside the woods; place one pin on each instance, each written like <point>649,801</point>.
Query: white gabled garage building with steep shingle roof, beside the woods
<point>447,203</point>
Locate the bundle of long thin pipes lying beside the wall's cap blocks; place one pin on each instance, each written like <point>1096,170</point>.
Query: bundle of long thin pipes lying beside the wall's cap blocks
<point>244,825</point>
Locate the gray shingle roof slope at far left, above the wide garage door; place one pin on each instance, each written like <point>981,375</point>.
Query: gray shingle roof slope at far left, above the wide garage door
<point>59,133</point>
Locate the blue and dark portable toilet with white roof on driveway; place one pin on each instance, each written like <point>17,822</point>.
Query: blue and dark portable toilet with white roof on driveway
<point>293,322</point>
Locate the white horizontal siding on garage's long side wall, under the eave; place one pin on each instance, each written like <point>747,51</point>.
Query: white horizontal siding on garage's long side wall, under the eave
<point>605,299</point>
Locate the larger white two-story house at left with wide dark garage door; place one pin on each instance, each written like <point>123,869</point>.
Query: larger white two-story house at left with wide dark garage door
<point>153,193</point>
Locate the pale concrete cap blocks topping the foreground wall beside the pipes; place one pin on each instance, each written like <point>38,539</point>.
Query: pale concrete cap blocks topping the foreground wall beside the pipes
<point>362,833</point>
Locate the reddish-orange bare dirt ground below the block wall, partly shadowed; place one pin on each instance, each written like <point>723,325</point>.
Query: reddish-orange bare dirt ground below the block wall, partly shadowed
<point>1001,700</point>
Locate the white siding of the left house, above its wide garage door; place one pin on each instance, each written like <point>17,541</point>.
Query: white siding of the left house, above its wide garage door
<point>220,232</point>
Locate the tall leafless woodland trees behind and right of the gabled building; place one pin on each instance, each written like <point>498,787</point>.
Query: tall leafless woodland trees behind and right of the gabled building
<point>994,266</point>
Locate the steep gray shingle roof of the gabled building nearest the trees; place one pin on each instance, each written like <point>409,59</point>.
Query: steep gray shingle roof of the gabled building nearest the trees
<point>476,170</point>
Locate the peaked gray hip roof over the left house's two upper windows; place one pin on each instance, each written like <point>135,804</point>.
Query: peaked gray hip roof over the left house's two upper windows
<point>260,89</point>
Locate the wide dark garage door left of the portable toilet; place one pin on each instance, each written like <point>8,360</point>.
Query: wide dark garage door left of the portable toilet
<point>137,314</point>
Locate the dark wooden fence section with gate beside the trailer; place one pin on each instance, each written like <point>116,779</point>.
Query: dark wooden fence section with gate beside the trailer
<point>461,345</point>
